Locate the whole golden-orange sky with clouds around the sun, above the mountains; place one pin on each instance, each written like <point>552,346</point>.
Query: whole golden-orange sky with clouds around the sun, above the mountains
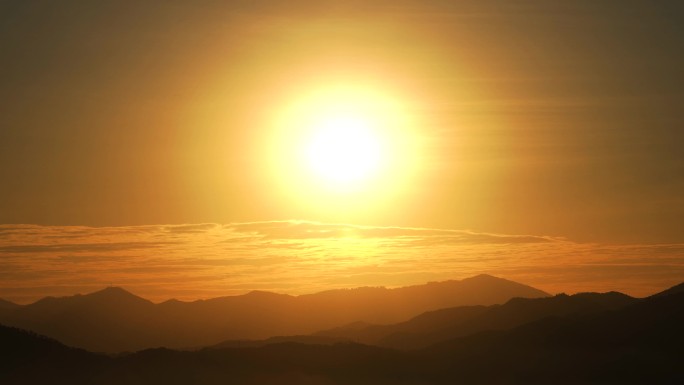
<point>157,145</point>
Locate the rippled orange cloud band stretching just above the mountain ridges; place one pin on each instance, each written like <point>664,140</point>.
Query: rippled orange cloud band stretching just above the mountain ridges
<point>193,261</point>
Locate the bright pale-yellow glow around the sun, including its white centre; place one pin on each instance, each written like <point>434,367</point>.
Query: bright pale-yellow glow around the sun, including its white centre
<point>344,148</point>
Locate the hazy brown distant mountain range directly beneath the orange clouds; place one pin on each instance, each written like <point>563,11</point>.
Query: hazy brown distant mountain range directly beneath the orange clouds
<point>114,320</point>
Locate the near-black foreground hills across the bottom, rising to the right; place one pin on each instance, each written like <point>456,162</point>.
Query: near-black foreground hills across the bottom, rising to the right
<point>629,342</point>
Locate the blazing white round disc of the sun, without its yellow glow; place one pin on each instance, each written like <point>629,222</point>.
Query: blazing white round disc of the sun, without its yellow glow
<point>345,149</point>
